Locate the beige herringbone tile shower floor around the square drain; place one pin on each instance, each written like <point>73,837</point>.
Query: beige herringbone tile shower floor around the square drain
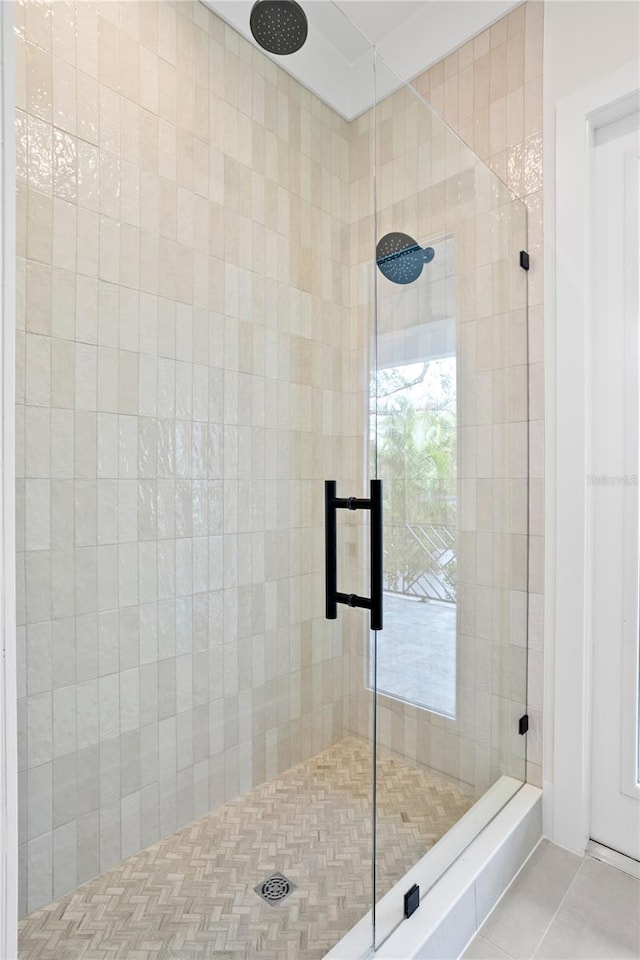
<point>191,896</point>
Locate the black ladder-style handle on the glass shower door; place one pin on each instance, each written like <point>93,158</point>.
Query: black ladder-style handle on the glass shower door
<point>332,504</point>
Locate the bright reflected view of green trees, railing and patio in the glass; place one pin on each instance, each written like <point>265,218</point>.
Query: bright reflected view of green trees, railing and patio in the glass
<point>417,451</point>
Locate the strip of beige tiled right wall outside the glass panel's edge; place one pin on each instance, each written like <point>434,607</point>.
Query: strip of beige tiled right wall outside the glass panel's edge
<point>490,92</point>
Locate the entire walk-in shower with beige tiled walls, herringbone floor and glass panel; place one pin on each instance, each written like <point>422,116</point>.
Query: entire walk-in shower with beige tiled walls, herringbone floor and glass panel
<point>216,316</point>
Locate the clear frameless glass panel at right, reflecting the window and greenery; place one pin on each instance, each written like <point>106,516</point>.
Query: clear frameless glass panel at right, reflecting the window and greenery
<point>449,440</point>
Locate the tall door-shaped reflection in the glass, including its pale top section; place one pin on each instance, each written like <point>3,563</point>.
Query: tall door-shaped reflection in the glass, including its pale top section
<point>415,420</point>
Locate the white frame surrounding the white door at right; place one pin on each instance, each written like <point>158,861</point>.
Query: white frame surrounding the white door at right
<point>568,627</point>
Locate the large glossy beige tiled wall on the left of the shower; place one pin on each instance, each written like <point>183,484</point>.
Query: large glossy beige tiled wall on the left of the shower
<point>182,290</point>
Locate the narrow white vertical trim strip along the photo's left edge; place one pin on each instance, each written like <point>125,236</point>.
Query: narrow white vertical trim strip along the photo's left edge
<point>8,729</point>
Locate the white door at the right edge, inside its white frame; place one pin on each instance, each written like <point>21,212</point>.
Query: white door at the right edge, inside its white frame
<point>613,483</point>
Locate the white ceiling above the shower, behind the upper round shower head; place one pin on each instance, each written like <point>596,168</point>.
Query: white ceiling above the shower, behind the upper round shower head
<point>336,62</point>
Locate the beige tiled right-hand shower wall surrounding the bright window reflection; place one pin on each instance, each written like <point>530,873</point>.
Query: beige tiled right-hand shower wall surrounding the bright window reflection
<point>429,185</point>
